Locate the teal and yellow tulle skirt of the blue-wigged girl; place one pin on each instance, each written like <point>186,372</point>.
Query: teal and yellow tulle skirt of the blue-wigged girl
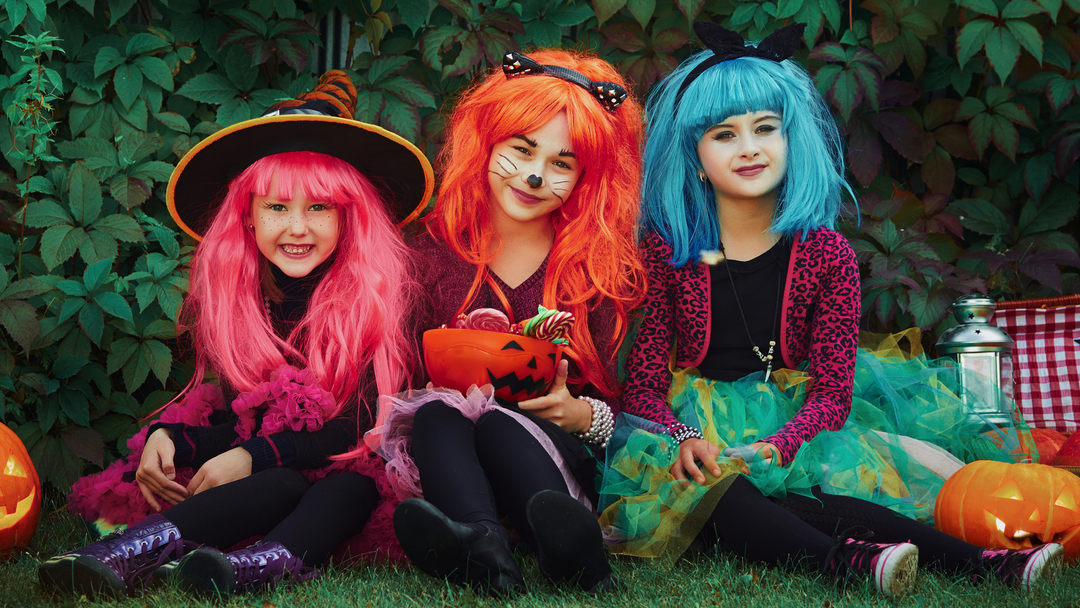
<point>908,433</point>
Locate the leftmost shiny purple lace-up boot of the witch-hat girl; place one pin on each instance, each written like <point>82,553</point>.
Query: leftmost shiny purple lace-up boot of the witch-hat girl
<point>118,564</point>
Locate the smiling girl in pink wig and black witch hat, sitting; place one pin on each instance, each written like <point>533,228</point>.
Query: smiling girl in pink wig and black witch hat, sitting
<point>301,289</point>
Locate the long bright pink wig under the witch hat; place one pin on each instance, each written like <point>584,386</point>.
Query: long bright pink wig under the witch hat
<point>357,316</point>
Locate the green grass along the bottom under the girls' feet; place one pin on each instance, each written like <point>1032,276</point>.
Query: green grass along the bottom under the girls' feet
<point>704,580</point>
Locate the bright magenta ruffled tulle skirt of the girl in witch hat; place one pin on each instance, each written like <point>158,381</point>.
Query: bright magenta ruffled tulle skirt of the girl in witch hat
<point>292,401</point>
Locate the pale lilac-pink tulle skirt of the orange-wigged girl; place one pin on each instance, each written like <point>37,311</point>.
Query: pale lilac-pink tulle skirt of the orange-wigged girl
<point>396,436</point>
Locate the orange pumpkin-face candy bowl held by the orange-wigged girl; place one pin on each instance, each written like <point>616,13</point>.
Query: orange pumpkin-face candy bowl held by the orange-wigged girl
<point>518,368</point>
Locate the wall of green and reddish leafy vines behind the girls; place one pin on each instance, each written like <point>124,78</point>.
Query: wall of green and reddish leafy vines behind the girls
<point>961,117</point>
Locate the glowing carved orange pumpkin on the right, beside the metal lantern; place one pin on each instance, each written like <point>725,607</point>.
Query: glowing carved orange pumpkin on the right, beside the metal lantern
<point>997,505</point>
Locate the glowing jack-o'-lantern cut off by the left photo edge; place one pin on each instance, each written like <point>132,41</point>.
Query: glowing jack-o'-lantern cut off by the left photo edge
<point>20,493</point>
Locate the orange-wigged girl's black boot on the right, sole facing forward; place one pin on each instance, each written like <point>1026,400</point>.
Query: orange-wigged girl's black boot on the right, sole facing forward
<point>570,542</point>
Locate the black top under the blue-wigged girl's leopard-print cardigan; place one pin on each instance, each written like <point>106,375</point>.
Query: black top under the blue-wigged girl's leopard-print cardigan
<point>760,287</point>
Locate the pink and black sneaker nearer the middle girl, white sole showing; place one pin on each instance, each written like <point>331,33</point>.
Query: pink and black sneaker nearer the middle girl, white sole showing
<point>892,568</point>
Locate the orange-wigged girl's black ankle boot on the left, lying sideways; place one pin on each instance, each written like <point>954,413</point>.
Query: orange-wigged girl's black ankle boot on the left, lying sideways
<point>460,553</point>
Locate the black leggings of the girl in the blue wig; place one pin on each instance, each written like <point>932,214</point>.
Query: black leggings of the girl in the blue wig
<point>798,528</point>
